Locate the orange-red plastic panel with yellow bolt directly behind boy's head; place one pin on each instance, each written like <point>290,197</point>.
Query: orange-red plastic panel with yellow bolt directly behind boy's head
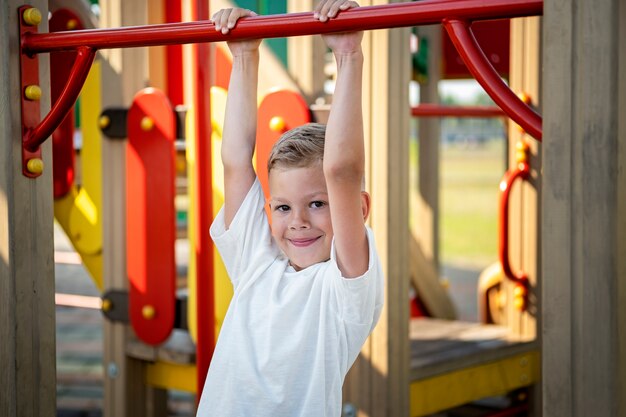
<point>292,110</point>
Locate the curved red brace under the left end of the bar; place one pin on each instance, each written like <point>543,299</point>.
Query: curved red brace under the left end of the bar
<point>36,136</point>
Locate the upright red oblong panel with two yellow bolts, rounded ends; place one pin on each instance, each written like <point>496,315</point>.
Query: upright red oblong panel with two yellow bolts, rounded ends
<point>150,215</point>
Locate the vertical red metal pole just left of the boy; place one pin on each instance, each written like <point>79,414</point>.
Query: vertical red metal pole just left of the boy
<point>205,302</point>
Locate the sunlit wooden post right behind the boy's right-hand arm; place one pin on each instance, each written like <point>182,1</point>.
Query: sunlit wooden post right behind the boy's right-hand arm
<point>378,384</point>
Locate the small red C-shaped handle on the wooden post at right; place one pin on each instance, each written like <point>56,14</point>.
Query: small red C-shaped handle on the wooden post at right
<point>522,171</point>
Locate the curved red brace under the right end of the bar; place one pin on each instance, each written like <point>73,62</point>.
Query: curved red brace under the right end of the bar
<point>480,67</point>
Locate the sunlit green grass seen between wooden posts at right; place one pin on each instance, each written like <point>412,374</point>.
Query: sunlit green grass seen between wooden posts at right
<point>468,201</point>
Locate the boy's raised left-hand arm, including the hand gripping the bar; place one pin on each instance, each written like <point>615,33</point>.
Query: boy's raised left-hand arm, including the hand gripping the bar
<point>239,133</point>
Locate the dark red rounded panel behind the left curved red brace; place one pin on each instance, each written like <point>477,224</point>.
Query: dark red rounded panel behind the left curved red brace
<point>63,137</point>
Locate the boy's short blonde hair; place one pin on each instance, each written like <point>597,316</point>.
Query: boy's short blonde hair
<point>299,147</point>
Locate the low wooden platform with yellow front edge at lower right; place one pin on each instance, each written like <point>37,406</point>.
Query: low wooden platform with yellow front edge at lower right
<point>453,363</point>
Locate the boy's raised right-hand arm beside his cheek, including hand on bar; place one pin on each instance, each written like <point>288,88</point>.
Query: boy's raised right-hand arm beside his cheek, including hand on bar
<point>344,153</point>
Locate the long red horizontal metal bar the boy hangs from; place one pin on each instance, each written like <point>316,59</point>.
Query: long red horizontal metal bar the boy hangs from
<point>293,24</point>
